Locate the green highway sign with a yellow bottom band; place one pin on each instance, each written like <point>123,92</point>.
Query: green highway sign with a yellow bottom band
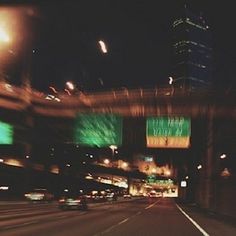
<point>168,132</point>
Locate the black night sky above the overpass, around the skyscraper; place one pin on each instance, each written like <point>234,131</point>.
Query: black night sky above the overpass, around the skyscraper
<point>64,36</point>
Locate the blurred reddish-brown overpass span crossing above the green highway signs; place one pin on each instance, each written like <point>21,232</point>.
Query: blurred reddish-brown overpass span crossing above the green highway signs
<point>134,102</point>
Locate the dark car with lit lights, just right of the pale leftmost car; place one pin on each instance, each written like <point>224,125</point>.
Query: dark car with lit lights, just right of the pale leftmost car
<point>73,202</point>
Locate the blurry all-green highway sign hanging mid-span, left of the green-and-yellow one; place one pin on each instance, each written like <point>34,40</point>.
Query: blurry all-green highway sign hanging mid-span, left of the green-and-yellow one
<point>99,130</point>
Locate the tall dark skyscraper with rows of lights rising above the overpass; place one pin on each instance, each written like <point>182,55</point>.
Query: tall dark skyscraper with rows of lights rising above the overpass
<point>192,54</point>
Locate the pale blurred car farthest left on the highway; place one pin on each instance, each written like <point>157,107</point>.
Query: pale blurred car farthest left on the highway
<point>39,195</point>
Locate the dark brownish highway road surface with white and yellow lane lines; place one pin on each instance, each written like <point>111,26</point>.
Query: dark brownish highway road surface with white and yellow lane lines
<point>139,217</point>
